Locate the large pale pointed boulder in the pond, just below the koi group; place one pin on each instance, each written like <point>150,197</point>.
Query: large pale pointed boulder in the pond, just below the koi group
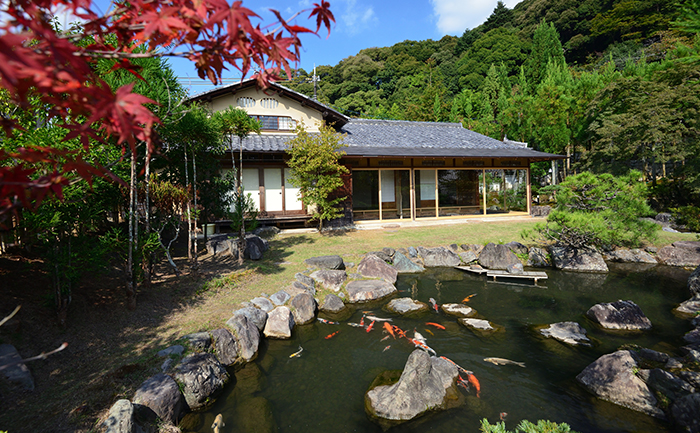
<point>426,384</point>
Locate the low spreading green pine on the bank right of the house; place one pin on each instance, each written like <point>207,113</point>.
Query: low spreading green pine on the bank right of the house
<point>599,210</point>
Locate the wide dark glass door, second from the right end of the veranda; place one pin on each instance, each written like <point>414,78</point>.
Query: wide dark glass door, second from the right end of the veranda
<point>459,193</point>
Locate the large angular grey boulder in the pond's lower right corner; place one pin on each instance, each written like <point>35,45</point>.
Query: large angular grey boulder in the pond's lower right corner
<point>611,377</point>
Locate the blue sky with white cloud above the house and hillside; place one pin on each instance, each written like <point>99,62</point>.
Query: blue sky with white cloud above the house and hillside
<point>360,24</point>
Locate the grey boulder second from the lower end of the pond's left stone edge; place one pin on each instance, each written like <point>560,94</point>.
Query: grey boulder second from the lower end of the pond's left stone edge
<point>161,394</point>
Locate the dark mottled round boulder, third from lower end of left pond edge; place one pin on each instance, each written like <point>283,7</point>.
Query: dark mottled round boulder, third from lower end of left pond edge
<point>201,377</point>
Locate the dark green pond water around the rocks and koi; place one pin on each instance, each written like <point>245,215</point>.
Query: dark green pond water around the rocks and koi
<point>323,389</point>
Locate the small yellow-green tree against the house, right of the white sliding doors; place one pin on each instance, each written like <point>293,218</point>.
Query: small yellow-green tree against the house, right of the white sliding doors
<point>316,170</point>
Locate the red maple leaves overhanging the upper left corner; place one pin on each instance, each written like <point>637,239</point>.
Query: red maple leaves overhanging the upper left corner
<point>37,60</point>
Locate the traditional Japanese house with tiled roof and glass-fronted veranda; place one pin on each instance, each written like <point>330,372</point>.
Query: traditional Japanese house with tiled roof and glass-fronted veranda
<point>399,170</point>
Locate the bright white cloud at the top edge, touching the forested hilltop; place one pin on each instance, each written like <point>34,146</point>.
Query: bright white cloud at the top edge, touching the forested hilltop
<point>455,16</point>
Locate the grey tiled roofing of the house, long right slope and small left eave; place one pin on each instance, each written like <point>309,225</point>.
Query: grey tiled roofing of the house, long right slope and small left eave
<point>397,138</point>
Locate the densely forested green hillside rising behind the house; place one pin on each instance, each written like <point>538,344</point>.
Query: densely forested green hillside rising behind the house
<point>614,83</point>
